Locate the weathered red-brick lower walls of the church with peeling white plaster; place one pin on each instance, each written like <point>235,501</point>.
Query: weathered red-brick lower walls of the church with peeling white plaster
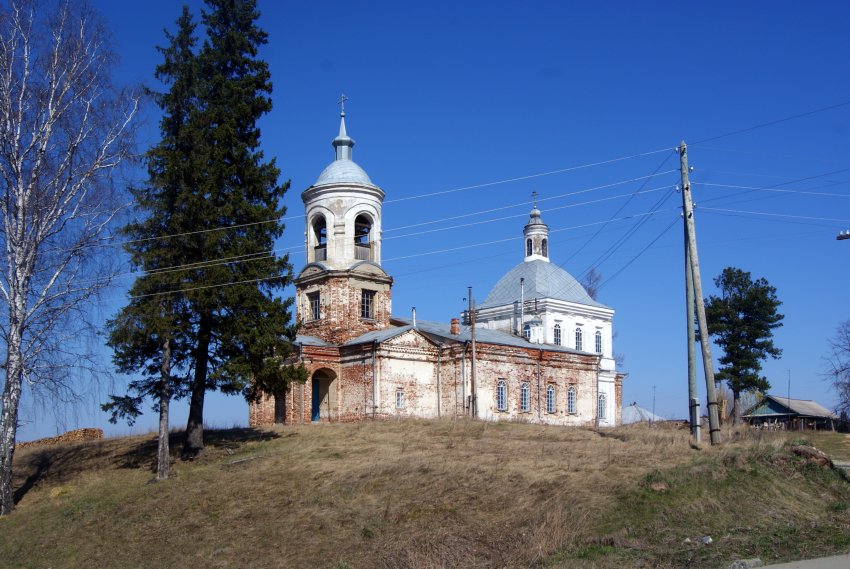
<point>409,362</point>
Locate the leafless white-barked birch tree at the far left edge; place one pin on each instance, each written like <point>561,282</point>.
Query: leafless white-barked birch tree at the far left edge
<point>64,129</point>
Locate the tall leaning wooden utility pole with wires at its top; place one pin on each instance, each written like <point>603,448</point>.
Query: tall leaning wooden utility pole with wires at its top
<point>705,342</point>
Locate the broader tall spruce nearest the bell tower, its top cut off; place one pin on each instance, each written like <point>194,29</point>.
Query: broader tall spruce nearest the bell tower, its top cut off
<point>242,328</point>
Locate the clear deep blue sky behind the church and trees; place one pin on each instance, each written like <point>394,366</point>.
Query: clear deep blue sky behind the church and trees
<point>460,110</point>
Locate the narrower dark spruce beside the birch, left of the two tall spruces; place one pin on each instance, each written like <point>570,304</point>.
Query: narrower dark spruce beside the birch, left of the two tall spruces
<point>153,334</point>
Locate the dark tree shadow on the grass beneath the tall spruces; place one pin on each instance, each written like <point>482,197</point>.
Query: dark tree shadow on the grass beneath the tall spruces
<point>61,462</point>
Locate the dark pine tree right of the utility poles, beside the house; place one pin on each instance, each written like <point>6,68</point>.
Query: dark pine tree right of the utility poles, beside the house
<point>742,320</point>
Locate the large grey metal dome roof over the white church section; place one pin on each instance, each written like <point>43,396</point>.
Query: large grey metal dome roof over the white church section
<point>541,280</point>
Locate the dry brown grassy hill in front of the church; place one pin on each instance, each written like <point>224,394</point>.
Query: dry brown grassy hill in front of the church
<point>429,494</point>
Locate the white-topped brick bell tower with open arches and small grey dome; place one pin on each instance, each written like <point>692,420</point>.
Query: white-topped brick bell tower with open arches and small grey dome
<point>342,291</point>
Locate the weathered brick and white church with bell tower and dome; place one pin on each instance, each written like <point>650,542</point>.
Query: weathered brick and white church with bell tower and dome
<point>538,349</point>
